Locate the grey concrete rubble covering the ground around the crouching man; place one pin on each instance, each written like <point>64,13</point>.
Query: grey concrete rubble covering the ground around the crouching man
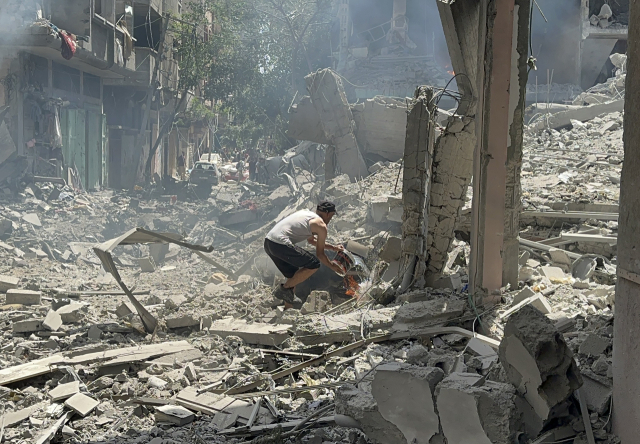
<point>227,363</point>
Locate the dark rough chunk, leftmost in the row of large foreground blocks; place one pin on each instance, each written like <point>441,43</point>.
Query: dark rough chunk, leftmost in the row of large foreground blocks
<point>362,407</point>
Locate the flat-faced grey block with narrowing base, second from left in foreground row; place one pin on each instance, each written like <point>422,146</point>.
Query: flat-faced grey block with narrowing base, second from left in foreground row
<point>404,395</point>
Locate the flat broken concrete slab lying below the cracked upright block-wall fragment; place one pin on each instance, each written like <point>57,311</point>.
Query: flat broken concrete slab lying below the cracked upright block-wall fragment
<point>427,313</point>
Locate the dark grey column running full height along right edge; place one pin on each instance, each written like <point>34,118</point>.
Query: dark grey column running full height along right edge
<point>626,359</point>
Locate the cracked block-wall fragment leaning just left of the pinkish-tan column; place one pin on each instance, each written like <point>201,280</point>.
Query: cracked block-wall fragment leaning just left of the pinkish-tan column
<point>452,170</point>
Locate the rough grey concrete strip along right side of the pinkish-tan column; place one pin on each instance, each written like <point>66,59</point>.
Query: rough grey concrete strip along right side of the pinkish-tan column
<point>513,200</point>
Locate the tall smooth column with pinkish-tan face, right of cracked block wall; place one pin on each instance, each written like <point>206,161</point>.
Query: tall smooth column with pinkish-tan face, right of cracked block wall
<point>490,174</point>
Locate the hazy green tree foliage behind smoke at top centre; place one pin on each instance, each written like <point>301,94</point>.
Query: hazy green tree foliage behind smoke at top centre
<point>250,57</point>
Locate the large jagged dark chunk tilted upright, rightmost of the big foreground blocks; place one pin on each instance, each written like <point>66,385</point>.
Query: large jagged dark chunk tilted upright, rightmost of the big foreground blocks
<point>537,361</point>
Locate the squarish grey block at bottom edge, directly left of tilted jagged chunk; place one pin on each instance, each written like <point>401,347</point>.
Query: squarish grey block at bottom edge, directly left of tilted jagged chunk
<point>476,411</point>
